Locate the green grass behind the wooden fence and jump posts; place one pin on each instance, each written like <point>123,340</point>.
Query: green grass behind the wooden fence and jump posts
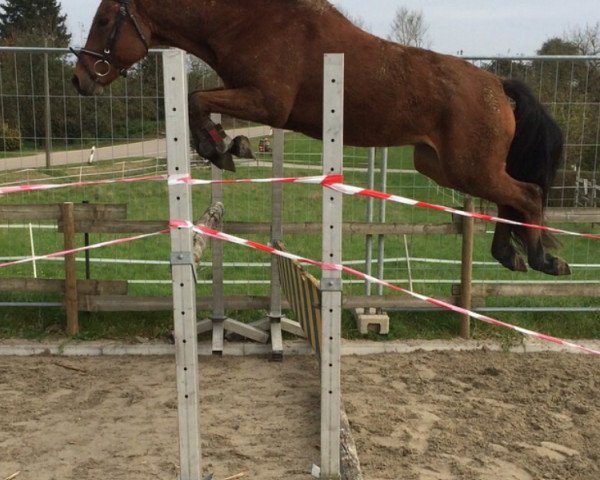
<point>252,203</point>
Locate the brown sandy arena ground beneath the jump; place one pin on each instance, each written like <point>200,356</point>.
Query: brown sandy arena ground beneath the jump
<point>431,416</point>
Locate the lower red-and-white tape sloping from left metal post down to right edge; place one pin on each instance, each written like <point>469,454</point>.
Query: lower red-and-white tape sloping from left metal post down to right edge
<point>330,266</point>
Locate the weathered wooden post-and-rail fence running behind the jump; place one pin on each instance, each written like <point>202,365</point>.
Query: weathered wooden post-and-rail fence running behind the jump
<point>112,295</point>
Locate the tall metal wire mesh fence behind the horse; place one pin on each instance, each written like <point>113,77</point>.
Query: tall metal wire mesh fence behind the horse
<point>50,134</point>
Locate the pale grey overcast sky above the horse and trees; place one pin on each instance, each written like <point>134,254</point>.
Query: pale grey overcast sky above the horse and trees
<point>475,27</point>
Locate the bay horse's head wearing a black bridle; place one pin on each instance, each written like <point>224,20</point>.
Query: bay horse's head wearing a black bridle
<point>118,39</point>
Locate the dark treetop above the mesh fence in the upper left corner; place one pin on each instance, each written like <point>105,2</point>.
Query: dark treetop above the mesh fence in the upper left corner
<point>33,22</point>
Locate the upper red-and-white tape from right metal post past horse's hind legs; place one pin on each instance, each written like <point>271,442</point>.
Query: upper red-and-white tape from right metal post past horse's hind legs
<point>350,190</point>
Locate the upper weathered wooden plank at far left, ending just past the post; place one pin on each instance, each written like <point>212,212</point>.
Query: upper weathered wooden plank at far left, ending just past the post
<point>87,211</point>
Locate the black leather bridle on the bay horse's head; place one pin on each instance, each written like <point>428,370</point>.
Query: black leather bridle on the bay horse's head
<point>105,57</point>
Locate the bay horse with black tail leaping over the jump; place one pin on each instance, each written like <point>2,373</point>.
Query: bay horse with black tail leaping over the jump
<point>471,131</point>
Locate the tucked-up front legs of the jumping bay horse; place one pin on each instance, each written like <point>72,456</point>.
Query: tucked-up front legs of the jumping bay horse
<point>210,139</point>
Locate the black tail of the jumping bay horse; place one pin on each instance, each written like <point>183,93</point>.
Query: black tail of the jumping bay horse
<point>536,150</point>
